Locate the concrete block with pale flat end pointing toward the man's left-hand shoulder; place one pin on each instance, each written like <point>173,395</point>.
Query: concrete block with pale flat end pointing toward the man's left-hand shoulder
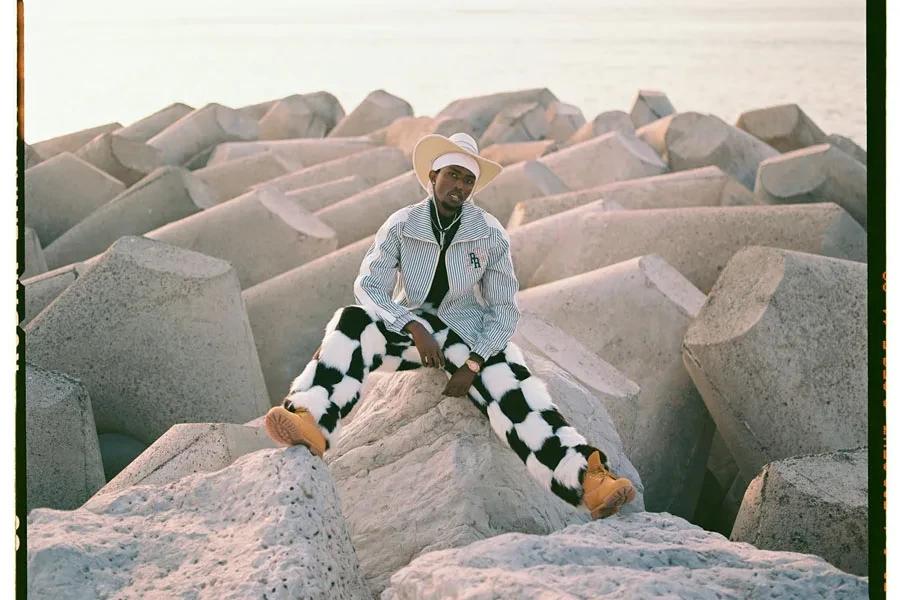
<point>261,234</point>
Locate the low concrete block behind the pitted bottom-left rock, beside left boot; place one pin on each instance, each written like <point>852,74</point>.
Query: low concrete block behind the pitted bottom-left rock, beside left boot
<point>190,448</point>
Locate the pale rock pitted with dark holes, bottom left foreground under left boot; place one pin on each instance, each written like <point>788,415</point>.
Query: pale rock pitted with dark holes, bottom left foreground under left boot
<point>267,526</point>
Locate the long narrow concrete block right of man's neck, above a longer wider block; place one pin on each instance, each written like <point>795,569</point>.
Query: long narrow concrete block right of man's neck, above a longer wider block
<point>708,186</point>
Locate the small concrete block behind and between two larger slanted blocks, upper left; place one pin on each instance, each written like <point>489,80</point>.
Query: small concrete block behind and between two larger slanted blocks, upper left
<point>235,177</point>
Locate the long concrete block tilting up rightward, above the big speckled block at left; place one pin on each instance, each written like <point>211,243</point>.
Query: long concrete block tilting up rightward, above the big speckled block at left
<point>166,195</point>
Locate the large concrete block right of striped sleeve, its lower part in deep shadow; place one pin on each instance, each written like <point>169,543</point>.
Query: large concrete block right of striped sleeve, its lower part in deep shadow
<point>634,316</point>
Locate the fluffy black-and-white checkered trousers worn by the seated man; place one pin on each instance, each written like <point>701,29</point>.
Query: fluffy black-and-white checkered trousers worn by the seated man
<point>517,404</point>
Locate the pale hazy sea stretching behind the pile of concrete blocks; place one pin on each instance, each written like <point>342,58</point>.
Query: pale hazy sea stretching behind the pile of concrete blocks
<point>100,61</point>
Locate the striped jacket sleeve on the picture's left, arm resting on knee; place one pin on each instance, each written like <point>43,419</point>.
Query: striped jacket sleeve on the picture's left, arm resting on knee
<point>377,276</point>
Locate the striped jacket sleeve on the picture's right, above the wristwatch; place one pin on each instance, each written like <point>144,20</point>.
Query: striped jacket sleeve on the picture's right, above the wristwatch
<point>498,288</point>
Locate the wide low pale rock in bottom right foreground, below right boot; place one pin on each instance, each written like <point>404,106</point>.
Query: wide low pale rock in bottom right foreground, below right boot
<point>642,556</point>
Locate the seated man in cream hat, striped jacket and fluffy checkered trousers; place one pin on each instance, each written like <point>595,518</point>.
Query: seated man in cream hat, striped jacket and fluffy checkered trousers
<point>442,248</point>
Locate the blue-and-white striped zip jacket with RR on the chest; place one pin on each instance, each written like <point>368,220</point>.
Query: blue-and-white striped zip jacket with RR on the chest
<point>478,256</point>
